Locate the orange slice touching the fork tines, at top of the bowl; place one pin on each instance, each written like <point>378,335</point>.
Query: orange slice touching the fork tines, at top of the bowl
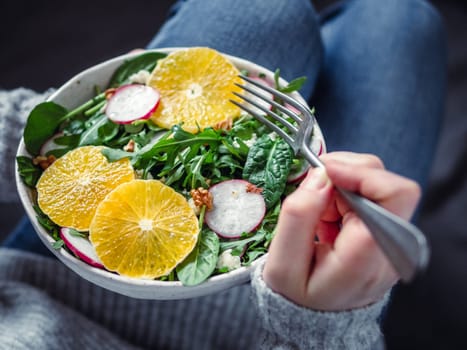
<point>195,85</point>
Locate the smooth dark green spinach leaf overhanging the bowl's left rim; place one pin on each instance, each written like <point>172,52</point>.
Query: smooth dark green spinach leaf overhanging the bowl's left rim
<point>42,123</point>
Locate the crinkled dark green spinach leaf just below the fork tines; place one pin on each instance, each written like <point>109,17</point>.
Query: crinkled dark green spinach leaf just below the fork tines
<point>267,166</point>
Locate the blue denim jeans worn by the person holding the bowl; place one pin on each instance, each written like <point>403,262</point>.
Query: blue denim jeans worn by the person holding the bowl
<point>376,69</point>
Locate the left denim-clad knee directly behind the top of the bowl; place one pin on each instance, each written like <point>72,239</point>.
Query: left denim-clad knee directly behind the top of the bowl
<point>273,33</point>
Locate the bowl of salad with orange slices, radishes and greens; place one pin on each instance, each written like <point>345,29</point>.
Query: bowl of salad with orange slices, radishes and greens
<point>141,176</point>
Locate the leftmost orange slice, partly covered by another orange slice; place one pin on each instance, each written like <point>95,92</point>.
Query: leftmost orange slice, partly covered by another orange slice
<point>71,188</point>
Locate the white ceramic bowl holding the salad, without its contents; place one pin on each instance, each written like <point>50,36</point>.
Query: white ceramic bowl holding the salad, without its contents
<point>75,92</point>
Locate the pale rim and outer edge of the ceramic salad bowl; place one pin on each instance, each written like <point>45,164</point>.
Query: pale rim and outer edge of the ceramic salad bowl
<point>135,287</point>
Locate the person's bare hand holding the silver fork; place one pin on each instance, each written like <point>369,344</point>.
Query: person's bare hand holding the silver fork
<point>344,268</point>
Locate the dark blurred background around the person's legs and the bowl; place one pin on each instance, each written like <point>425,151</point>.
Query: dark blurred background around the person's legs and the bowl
<point>44,43</point>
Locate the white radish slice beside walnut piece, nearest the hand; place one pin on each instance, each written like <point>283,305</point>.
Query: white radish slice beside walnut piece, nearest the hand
<point>235,210</point>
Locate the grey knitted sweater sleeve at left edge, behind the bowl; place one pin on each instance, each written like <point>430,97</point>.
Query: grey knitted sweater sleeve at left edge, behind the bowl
<point>15,106</point>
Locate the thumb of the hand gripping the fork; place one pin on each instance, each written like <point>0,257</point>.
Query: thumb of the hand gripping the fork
<point>289,260</point>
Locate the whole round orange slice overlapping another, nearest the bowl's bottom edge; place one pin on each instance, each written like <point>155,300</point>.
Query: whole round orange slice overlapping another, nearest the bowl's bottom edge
<point>143,229</point>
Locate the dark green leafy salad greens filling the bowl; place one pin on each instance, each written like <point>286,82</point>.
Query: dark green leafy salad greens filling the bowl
<point>182,160</point>
